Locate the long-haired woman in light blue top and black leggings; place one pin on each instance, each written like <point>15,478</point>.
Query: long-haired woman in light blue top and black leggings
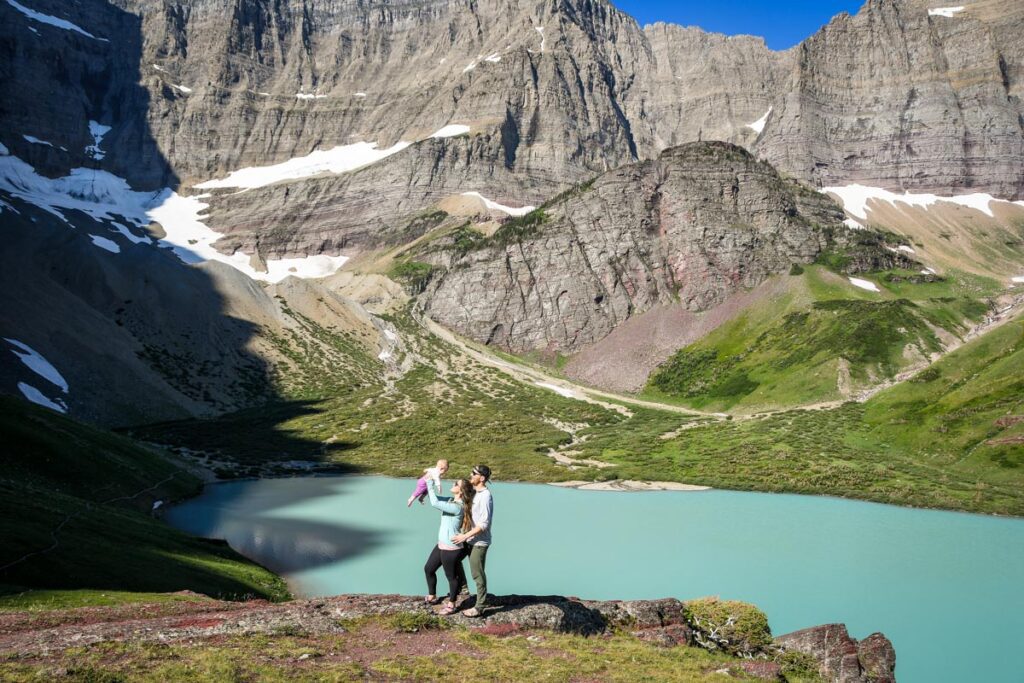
<point>448,554</point>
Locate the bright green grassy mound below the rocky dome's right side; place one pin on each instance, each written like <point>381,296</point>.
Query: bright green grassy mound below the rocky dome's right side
<point>824,341</point>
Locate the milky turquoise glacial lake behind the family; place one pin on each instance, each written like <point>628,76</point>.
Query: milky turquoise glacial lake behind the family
<point>947,588</point>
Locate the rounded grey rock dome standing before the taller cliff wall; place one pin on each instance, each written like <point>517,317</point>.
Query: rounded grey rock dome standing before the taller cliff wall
<point>699,224</point>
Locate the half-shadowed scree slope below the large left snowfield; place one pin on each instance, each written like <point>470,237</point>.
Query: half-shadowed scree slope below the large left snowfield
<point>138,336</point>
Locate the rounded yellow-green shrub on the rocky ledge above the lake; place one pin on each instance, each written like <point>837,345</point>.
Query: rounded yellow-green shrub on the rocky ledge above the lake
<point>731,626</point>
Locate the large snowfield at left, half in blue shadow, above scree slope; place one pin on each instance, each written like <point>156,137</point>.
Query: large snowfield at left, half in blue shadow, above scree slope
<point>109,199</point>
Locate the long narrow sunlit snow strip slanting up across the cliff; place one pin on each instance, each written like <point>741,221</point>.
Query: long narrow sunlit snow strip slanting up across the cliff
<point>337,160</point>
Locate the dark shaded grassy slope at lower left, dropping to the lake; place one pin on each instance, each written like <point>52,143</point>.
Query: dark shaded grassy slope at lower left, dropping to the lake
<point>75,502</point>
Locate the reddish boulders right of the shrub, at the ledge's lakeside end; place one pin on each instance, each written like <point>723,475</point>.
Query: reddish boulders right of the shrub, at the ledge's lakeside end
<point>841,658</point>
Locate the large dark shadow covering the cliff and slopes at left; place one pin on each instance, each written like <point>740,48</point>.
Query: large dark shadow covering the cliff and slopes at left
<point>138,336</point>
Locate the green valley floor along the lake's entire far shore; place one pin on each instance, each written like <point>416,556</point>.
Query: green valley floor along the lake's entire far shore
<point>449,406</point>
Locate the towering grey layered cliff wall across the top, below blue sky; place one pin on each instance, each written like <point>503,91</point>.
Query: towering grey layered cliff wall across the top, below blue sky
<point>553,93</point>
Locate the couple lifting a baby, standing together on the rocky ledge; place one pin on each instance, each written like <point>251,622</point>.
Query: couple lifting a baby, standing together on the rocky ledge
<point>465,532</point>
